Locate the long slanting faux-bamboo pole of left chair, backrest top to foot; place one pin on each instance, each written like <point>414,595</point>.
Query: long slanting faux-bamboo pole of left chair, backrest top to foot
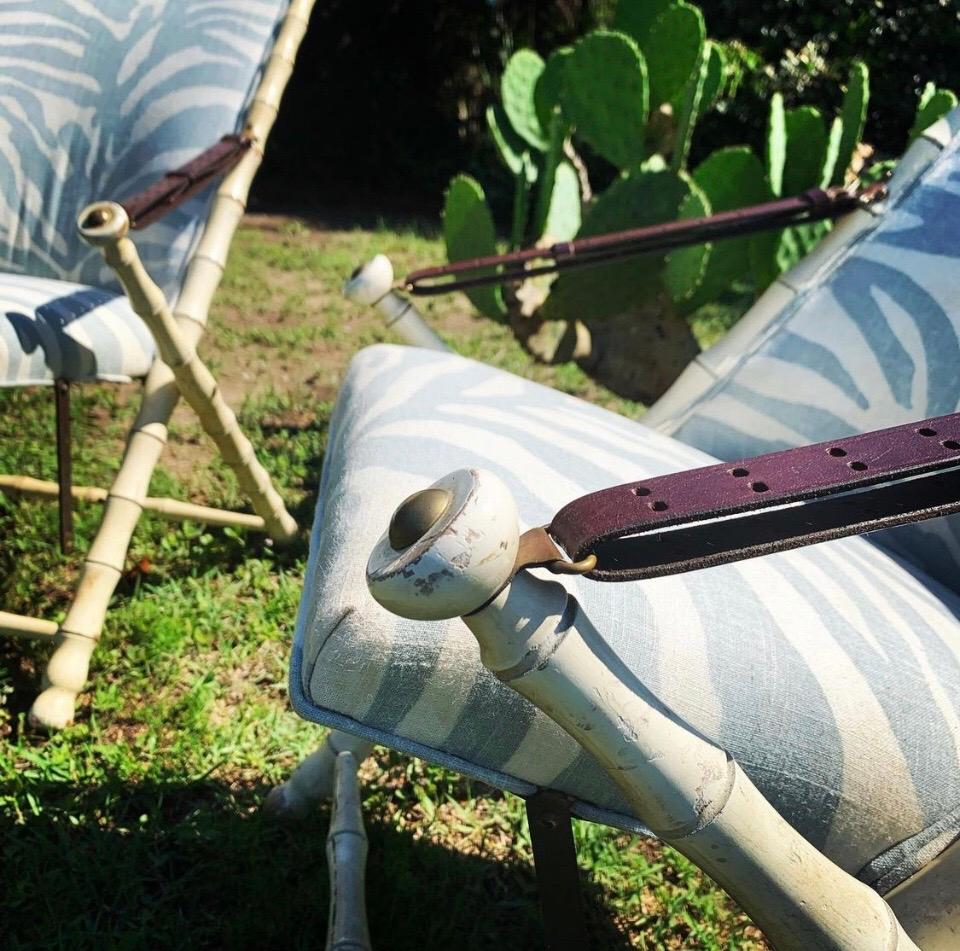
<point>67,670</point>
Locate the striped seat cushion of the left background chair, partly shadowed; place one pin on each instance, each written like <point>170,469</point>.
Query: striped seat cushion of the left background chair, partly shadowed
<point>53,330</point>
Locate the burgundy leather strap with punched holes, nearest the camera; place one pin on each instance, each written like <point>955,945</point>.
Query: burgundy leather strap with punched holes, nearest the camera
<point>768,503</point>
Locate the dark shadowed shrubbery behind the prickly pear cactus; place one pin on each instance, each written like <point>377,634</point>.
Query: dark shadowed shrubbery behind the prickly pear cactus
<point>388,97</point>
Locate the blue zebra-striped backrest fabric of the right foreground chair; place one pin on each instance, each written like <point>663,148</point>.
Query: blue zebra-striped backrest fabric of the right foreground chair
<point>864,334</point>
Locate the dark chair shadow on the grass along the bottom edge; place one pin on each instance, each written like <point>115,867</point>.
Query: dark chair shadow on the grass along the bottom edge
<point>194,864</point>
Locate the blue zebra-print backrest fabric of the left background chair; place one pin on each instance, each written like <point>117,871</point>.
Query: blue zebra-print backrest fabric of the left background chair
<point>98,99</point>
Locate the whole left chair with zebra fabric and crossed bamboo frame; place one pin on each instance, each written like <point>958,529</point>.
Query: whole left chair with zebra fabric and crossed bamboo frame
<point>137,108</point>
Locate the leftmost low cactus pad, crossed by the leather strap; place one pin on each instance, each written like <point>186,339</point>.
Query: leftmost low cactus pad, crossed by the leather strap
<point>468,232</point>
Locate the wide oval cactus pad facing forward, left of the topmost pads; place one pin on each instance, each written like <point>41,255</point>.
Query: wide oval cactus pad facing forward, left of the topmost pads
<point>605,96</point>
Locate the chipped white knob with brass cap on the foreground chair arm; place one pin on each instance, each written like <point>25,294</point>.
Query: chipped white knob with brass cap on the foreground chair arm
<point>449,549</point>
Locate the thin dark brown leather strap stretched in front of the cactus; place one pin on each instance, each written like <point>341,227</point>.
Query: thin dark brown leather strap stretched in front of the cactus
<point>816,204</point>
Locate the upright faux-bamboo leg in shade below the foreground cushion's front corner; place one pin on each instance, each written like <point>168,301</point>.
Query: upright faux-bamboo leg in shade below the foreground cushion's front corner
<point>346,859</point>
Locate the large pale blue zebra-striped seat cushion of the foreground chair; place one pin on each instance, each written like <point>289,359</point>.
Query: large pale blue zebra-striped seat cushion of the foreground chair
<point>831,673</point>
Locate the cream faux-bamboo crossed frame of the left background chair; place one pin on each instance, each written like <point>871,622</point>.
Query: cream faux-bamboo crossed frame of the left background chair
<point>177,372</point>
